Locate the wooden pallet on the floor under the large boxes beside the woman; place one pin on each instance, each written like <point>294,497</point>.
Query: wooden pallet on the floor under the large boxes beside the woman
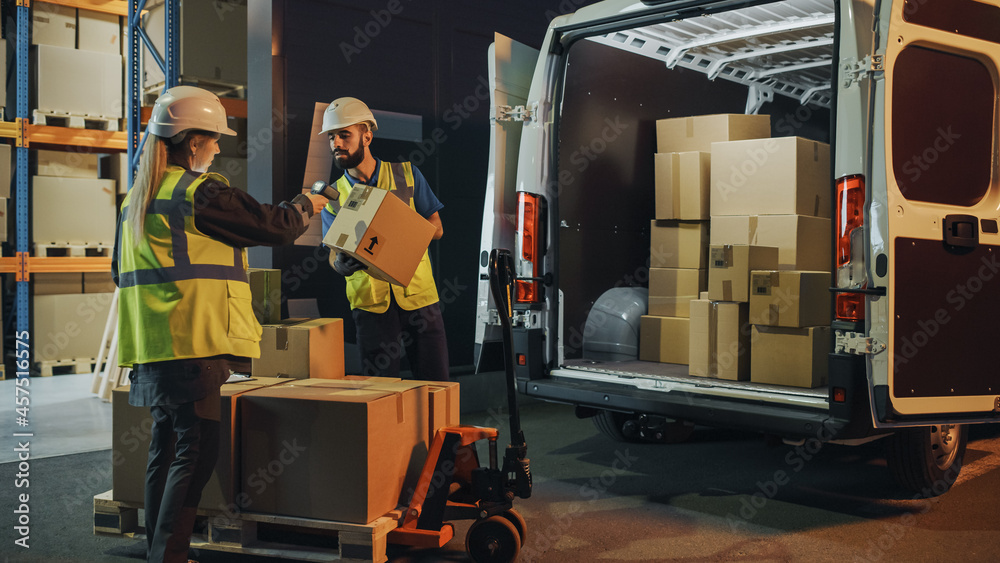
<point>265,535</point>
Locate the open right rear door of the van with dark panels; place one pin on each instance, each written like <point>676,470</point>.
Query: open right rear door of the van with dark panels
<point>939,258</point>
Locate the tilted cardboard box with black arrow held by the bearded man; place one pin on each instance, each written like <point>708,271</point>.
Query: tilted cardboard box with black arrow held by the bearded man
<point>381,231</point>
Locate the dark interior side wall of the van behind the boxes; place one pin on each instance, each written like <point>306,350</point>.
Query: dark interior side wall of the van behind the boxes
<point>607,139</point>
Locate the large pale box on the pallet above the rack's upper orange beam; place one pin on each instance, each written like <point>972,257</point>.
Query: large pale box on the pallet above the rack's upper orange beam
<point>96,79</point>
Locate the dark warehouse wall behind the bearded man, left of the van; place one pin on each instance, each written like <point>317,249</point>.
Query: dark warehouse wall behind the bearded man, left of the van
<point>427,59</point>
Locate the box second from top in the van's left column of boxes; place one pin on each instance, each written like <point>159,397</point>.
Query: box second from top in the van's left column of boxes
<point>682,185</point>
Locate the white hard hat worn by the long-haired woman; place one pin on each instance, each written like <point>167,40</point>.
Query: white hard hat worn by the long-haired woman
<point>185,107</point>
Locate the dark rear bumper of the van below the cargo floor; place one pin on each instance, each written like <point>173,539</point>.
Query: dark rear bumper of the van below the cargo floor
<point>783,420</point>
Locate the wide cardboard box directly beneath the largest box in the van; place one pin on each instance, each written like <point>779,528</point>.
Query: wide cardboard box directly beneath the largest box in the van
<point>804,242</point>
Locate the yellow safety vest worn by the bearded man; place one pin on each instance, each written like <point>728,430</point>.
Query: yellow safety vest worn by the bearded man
<point>370,294</point>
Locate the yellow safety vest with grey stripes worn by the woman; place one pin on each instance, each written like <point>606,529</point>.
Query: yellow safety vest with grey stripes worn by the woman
<point>182,293</point>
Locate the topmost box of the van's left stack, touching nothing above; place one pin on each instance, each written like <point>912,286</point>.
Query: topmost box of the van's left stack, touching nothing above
<point>697,133</point>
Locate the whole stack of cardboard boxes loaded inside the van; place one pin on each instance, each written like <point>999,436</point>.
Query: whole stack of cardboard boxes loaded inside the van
<point>768,257</point>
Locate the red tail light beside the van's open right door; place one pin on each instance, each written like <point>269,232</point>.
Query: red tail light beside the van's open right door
<point>850,247</point>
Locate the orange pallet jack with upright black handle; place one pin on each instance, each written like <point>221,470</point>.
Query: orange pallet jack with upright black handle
<point>453,484</point>
